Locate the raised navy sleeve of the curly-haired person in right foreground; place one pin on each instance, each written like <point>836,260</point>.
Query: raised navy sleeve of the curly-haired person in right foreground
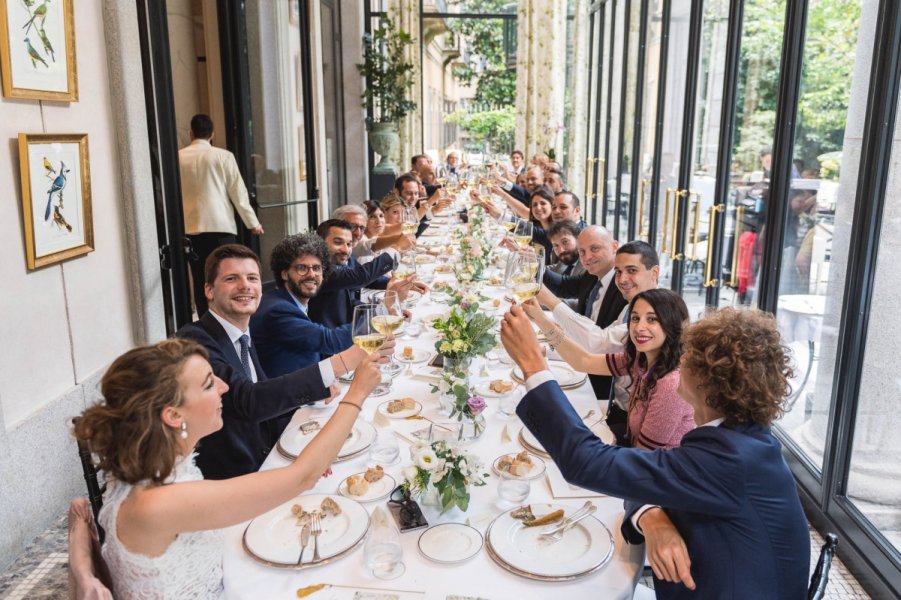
<point>703,475</point>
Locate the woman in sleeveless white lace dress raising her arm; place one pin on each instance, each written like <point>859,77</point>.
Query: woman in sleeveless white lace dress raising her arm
<point>163,522</point>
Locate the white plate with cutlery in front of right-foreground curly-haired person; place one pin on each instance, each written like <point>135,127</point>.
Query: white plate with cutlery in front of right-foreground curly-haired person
<point>584,548</point>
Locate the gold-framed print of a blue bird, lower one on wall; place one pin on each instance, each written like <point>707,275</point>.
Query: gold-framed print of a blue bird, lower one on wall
<point>56,197</point>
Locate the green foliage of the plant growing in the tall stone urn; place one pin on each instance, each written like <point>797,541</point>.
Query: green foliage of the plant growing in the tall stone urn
<point>388,75</point>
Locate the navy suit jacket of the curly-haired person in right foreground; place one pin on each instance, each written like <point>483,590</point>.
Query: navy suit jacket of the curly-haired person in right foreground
<point>727,489</point>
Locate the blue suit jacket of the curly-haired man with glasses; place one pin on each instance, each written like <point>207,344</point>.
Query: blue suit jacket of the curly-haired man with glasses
<point>285,337</point>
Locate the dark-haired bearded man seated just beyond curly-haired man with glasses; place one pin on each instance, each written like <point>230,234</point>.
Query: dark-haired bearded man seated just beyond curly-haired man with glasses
<point>333,305</point>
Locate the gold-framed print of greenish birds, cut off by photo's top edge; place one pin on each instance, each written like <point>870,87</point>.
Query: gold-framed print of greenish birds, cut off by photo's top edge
<point>37,50</point>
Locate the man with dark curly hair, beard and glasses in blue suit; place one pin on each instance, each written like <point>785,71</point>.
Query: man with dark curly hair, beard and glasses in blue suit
<point>285,336</point>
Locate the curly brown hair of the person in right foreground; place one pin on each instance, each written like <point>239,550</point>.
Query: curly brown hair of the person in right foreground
<point>744,368</point>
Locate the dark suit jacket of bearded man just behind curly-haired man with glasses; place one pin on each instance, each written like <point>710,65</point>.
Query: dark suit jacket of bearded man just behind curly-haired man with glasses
<point>334,305</point>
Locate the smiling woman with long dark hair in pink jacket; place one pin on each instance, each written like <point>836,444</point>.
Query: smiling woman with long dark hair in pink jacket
<point>658,417</point>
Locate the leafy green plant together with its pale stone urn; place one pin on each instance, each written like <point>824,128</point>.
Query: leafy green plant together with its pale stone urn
<point>388,77</point>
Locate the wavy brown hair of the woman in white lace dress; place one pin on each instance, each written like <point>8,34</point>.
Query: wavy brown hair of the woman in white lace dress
<point>126,430</point>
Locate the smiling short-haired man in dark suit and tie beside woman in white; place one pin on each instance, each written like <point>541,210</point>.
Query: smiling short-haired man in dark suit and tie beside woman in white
<point>252,401</point>
